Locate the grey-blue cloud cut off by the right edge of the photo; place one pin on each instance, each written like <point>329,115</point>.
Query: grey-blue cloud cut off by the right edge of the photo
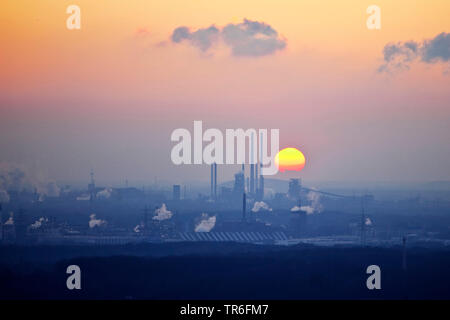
<point>399,56</point>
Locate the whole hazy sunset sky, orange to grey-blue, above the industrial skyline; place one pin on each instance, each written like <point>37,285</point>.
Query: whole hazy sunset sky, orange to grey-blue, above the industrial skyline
<point>362,105</point>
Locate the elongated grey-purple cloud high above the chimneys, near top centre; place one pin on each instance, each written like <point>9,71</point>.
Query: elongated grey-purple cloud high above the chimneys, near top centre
<point>246,39</point>
